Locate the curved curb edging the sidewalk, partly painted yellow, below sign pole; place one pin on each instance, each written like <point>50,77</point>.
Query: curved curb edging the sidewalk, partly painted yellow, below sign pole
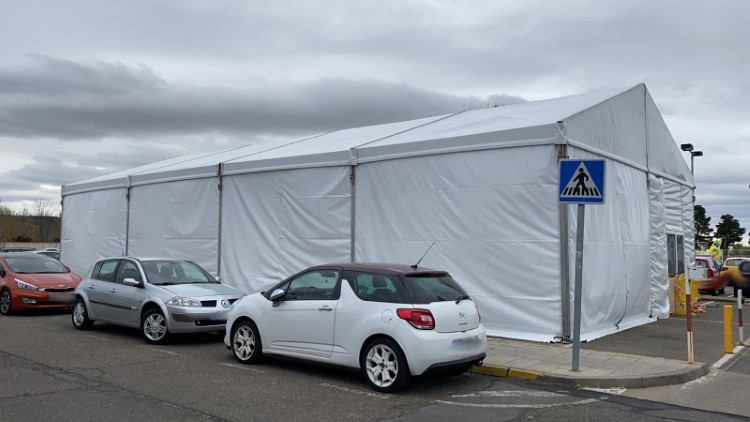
<point>666,378</point>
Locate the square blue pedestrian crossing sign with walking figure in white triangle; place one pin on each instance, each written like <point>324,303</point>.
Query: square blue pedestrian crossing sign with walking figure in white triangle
<point>582,181</point>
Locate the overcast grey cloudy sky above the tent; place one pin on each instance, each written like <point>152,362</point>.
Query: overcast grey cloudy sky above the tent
<point>89,87</point>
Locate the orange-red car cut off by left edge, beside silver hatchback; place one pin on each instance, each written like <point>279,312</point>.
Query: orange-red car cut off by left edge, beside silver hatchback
<point>30,281</point>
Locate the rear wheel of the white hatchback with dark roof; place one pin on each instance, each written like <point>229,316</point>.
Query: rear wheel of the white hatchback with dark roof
<point>384,366</point>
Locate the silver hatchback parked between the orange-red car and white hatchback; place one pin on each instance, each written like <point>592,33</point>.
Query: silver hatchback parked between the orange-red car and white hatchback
<point>159,296</point>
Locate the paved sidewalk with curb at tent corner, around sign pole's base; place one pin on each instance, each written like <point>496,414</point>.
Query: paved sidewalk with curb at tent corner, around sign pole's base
<point>650,355</point>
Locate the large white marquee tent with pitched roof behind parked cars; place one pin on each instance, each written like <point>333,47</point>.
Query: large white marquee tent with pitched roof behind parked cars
<point>482,184</point>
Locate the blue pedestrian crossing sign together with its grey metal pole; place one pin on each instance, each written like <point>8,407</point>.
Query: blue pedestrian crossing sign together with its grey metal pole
<point>581,182</point>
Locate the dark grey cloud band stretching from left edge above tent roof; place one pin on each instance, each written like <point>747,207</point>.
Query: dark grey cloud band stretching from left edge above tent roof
<point>66,100</point>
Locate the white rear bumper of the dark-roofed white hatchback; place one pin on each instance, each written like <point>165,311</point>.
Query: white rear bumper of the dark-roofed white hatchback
<point>427,350</point>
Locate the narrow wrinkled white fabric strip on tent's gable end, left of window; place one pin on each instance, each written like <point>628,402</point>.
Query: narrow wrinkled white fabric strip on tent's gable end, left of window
<point>660,307</point>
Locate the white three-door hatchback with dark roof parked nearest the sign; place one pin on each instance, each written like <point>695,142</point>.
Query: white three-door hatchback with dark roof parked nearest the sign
<point>389,321</point>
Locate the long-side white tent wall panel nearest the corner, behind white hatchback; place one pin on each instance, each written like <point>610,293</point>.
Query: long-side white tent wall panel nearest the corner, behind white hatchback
<point>488,211</point>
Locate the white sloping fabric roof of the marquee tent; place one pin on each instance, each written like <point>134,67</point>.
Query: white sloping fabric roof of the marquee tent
<point>529,123</point>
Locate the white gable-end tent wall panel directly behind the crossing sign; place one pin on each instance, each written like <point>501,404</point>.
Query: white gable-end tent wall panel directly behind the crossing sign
<point>616,277</point>
